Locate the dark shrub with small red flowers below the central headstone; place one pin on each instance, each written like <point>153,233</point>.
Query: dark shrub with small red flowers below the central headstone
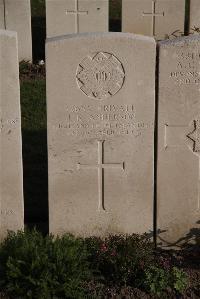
<point>120,259</point>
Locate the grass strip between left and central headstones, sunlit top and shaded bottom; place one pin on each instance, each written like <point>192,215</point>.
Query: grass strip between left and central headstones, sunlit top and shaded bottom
<point>34,136</point>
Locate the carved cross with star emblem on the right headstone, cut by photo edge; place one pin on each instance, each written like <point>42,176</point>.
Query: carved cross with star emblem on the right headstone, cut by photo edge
<point>175,137</point>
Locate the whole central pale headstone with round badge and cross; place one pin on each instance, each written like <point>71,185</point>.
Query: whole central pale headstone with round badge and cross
<point>100,98</point>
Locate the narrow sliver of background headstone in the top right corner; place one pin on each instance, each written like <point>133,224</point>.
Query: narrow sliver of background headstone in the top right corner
<point>194,19</point>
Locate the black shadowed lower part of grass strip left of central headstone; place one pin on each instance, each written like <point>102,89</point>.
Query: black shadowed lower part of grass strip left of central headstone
<point>35,179</point>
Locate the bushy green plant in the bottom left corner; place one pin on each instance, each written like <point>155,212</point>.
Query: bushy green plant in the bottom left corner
<point>33,266</point>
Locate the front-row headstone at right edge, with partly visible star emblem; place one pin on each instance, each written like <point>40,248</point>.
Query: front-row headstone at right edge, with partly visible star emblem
<point>178,177</point>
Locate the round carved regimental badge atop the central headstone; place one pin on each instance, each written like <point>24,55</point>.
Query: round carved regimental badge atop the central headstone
<point>100,76</point>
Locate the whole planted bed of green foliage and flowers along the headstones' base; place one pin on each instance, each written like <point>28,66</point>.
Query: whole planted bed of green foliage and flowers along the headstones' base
<point>34,266</point>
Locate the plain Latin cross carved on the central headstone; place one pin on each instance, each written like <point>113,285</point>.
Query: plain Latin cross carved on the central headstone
<point>100,167</point>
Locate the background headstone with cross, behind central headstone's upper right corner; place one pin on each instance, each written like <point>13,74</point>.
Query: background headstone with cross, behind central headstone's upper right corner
<point>158,18</point>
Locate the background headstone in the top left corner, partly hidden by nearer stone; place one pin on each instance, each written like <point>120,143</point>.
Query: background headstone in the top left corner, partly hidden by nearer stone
<point>16,15</point>
